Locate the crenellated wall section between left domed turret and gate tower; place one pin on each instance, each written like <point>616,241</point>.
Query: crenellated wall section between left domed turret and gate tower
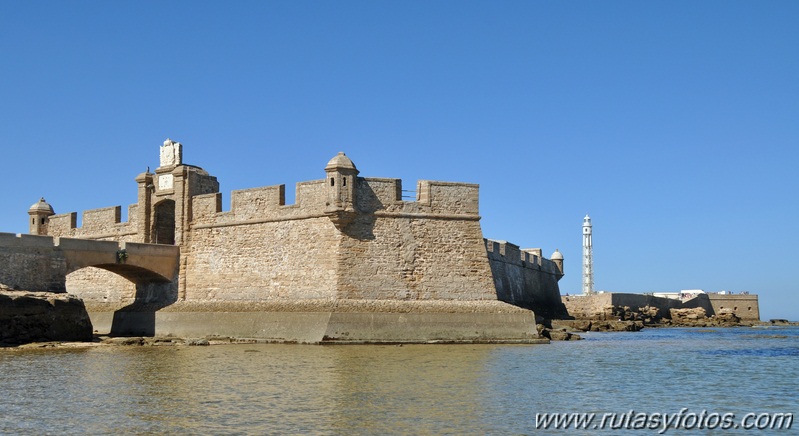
<point>95,223</point>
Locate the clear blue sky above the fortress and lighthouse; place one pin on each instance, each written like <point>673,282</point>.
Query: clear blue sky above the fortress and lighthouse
<point>674,124</point>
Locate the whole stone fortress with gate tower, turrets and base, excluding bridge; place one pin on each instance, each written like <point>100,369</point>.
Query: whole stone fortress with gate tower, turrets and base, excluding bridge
<point>349,261</point>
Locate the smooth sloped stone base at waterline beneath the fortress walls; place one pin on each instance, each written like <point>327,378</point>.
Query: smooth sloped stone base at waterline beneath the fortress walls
<point>331,321</point>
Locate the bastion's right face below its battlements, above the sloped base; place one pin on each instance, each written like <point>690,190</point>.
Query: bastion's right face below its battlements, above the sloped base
<point>400,257</point>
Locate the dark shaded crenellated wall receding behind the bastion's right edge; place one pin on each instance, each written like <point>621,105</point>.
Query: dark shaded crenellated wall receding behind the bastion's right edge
<point>524,278</point>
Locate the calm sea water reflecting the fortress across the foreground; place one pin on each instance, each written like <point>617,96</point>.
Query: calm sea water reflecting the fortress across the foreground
<point>411,389</point>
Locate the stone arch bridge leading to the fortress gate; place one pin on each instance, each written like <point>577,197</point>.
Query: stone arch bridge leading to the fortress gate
<point>41,263</point>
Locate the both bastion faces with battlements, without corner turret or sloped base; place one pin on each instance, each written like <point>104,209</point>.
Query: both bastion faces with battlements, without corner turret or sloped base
<point>402,250</point>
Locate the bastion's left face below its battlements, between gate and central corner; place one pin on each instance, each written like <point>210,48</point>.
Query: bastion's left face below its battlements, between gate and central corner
<point>292,259</point>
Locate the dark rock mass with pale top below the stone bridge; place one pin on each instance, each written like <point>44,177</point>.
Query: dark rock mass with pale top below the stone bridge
<point>42,316</point>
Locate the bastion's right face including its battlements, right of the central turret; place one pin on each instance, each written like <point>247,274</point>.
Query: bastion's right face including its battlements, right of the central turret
<point>415,250</point>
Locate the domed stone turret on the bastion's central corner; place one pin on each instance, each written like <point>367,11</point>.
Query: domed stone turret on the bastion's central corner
<point>341,181</point>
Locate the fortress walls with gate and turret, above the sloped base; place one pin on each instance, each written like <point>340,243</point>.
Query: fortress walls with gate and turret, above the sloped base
<point>345,239</point>
